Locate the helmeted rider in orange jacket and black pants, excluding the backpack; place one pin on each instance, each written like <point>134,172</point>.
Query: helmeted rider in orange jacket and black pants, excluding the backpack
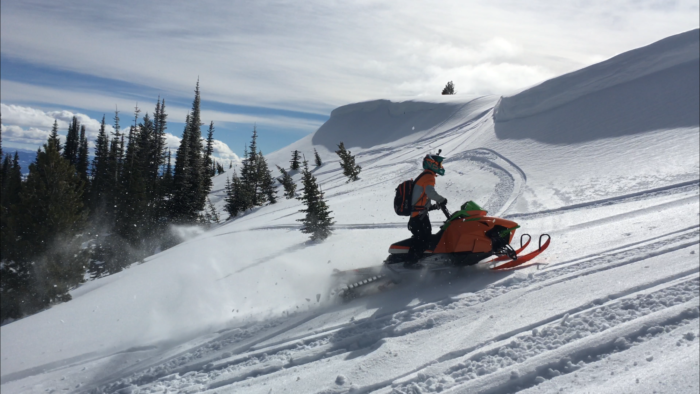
<point>423,192</point>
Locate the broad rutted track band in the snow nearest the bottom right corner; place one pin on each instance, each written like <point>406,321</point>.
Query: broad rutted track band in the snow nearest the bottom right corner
<point>560,345</point>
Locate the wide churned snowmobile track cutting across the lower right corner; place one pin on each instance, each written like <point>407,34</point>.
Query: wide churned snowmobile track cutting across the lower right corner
<point>568,329</point>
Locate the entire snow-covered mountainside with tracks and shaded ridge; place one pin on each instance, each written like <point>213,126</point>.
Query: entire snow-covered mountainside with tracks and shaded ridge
<point>606,160</point>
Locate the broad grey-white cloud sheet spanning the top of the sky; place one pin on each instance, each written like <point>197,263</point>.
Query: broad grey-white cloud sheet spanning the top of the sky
<point>316,55</point>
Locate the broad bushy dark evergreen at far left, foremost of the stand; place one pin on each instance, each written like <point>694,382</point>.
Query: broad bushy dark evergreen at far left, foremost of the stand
<point>46,221</point>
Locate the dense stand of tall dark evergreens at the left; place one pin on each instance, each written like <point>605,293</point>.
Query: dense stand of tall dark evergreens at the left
<point>74,216</point>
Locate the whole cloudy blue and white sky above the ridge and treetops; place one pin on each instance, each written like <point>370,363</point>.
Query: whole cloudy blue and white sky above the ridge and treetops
<point>283,66</point>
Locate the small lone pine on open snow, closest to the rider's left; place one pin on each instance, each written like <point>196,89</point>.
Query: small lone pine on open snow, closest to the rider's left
<point>317,220</point>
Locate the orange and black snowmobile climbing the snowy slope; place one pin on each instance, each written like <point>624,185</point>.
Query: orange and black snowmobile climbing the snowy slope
<point>467,237</point>
